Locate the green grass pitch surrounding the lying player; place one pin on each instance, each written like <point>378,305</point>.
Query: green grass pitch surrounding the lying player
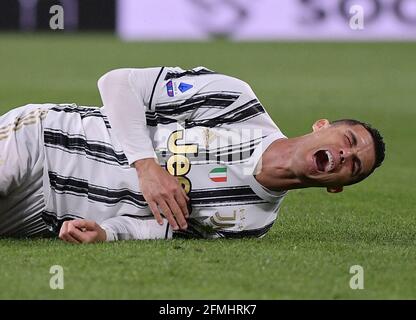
<point>318,236</point>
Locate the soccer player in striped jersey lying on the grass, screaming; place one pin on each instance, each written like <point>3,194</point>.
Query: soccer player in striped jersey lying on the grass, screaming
<point>172,153</point>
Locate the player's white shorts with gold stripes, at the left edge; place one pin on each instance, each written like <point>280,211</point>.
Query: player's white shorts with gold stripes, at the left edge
<point>21,171</point>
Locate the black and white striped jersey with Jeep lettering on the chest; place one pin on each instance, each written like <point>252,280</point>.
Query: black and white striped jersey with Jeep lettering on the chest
<point>207,129</point>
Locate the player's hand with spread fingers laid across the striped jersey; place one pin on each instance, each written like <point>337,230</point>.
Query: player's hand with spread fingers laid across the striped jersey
<point>163,191</point>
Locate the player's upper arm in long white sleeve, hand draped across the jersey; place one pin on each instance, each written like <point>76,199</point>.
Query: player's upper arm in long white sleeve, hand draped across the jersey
<point>125,94</point>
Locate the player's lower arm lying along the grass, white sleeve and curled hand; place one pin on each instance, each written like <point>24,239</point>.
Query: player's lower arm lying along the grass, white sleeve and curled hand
<point>113,229</point>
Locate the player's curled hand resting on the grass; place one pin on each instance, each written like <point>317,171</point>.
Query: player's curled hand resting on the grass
<point>82,231</point>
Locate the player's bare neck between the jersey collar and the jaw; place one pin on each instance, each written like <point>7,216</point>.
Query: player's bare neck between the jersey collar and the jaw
<point>275,169</point>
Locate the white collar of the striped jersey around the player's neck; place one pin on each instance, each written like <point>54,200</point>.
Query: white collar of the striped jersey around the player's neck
<point>261,191</point>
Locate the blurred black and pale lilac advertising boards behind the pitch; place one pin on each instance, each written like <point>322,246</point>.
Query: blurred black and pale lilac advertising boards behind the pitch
<point>234,19</point>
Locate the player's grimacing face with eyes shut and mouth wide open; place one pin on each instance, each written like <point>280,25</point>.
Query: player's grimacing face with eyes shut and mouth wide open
<point>335,155</point>
